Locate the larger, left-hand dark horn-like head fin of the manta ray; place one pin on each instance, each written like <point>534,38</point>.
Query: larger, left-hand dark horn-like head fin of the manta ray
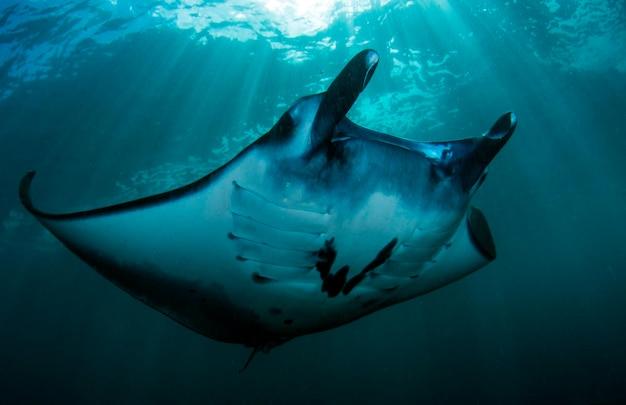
<point>343,93</point>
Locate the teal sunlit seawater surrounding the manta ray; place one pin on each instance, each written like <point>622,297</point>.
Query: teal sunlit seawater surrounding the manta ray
<point>112,100</point>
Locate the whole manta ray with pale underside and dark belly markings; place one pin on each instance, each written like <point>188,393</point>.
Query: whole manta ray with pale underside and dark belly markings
<point>315,224</point>
